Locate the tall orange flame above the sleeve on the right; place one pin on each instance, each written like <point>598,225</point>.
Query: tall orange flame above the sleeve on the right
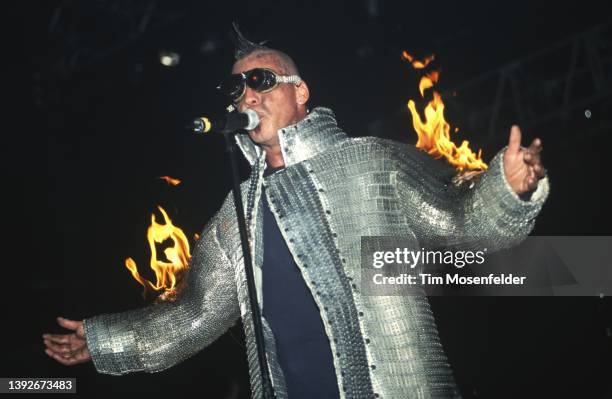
<point>434,133</point>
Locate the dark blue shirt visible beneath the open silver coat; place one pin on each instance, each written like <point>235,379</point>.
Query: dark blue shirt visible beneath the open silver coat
<point>302,346</point>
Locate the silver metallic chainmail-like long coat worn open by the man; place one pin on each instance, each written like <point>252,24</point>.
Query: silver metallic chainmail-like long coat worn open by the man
<point>333,190</point>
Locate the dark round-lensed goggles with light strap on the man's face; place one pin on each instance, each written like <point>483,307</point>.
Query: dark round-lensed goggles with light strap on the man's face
<point>261,80</point>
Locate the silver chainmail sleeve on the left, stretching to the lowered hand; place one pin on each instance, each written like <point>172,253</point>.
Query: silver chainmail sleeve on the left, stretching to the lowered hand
<point>159,336</point>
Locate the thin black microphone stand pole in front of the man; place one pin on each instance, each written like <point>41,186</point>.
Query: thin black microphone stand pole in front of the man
<point>230,146</point>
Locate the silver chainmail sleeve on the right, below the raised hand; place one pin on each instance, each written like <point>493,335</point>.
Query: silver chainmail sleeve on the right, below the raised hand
<point>482,213</point>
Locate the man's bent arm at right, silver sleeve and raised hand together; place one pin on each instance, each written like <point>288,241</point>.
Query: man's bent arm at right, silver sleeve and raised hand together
<point>486,212</point>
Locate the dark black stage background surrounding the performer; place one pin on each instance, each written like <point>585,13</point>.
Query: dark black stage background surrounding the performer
<point>94,118</point>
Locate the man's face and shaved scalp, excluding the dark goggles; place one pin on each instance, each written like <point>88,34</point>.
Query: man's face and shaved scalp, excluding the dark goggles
<point>281,107</point>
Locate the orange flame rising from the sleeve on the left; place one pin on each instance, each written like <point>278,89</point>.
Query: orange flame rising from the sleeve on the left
<point>178,255</point>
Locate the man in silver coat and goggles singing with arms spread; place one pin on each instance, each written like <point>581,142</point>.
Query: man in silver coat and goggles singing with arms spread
<point>312,194</point>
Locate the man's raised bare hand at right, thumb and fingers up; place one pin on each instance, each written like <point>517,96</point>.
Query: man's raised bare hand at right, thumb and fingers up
<point>522,166</point>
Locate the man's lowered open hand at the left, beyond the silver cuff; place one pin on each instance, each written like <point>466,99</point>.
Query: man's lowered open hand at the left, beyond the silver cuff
<point>68,349</point>
